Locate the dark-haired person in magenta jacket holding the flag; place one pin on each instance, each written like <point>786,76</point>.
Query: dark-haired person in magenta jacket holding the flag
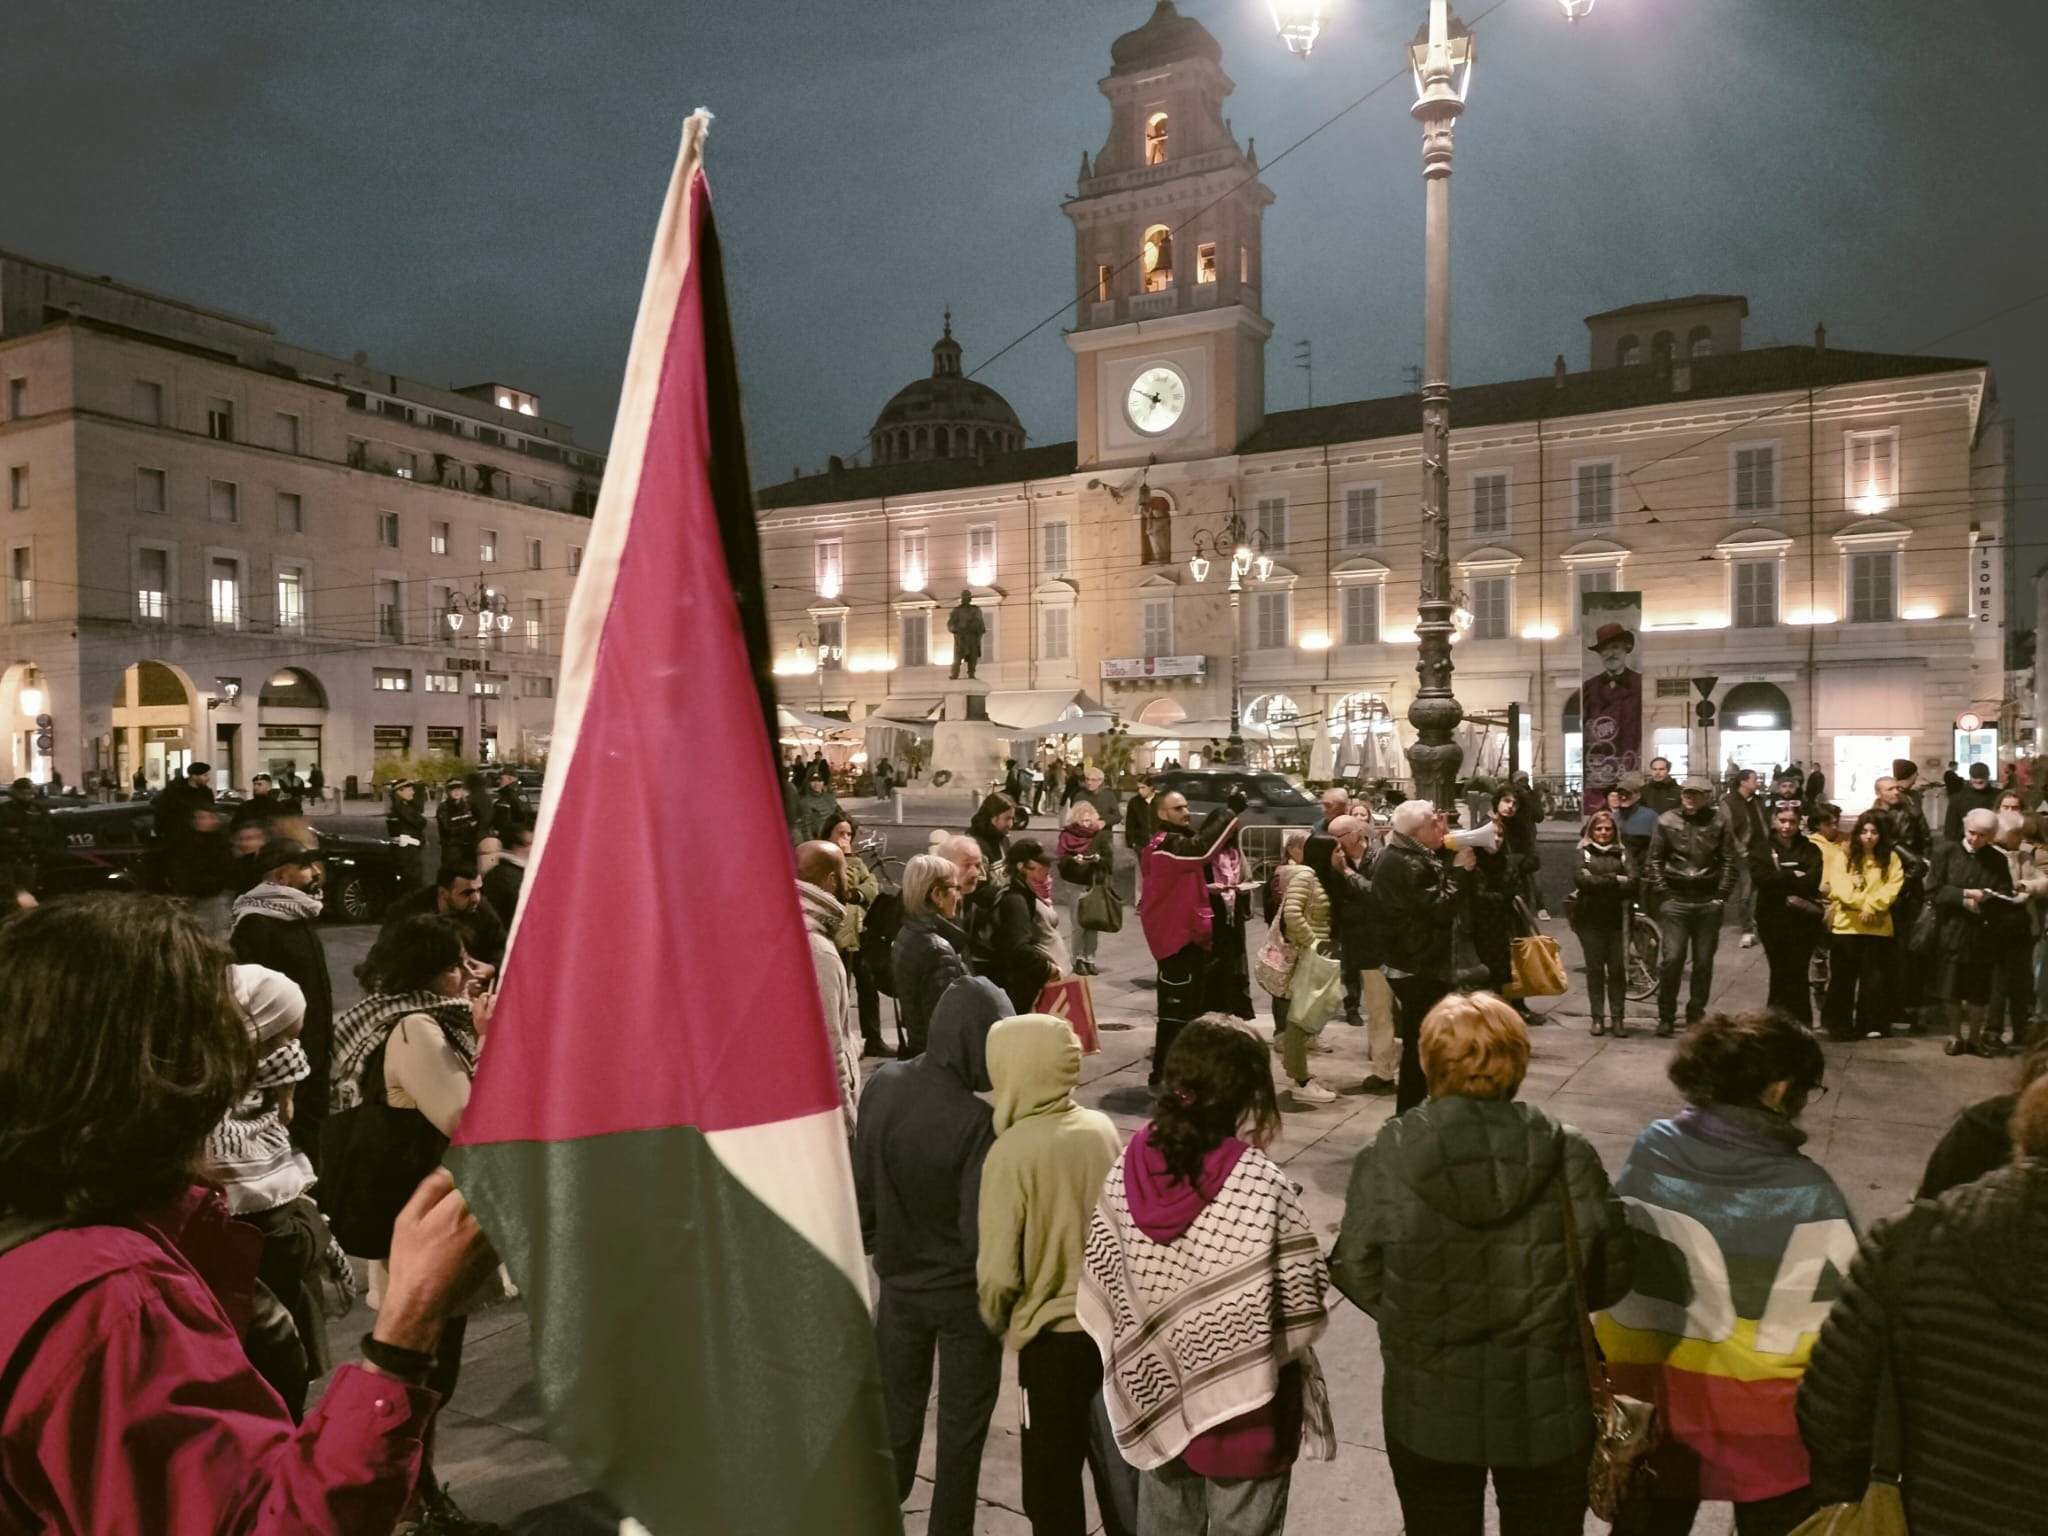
<point>124,1281</point>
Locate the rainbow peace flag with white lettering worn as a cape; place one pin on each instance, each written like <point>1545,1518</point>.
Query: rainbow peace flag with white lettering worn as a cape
<point>1742,1248</point>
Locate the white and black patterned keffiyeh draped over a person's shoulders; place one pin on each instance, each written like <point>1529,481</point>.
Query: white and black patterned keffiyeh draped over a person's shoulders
<point>1197,1332</point>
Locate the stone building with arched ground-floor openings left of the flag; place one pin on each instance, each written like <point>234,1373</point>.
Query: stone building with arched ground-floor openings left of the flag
<point>228,548</point>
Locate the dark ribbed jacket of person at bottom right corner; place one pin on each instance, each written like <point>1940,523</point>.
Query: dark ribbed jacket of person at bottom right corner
<point>1953,1293</point>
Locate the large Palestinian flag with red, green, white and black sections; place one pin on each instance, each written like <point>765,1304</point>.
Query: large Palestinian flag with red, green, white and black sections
<point>656,1142</point>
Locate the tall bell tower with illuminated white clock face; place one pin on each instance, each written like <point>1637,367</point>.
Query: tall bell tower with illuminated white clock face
<point>1170,345</point>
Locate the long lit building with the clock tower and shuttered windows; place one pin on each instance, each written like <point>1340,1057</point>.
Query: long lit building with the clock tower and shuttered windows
<point>1818,534</point>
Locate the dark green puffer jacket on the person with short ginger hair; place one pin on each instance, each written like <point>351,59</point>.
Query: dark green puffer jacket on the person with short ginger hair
<point>1455,1242</point>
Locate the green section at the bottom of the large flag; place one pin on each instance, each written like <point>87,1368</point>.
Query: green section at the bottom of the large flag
<point>708,1369</point>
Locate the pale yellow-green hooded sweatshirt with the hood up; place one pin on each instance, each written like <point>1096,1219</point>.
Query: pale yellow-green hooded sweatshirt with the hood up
<point>1041,1181</point>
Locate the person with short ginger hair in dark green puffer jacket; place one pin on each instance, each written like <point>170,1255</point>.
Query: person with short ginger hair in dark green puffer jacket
<point>1455,1242</point>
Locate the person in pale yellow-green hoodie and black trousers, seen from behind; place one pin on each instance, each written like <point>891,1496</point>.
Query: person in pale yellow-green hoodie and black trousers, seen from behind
<point>1039,1189</point>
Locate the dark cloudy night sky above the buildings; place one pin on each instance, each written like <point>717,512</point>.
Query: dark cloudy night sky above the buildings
<point>468,191</point>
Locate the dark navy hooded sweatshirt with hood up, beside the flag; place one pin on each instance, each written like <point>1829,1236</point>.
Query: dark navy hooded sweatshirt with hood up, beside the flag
<point>921,1148</point>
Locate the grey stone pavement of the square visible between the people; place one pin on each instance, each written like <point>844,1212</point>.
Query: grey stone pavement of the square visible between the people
<point>1887,1107</point>
